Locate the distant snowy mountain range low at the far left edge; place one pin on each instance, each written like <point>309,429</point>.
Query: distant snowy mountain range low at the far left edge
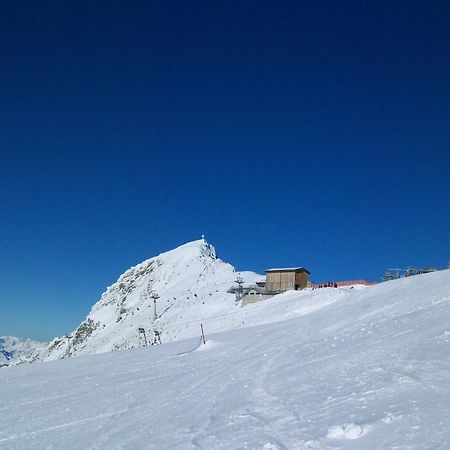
<point>14,350</point>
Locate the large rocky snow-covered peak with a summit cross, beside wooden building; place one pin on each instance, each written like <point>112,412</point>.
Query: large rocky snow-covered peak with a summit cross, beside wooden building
<point>190,284</point>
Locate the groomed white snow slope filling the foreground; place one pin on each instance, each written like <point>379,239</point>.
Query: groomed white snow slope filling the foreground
<point>359,369</point>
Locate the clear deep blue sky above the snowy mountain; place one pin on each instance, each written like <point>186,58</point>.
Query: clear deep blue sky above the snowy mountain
<point>290,133</point>
